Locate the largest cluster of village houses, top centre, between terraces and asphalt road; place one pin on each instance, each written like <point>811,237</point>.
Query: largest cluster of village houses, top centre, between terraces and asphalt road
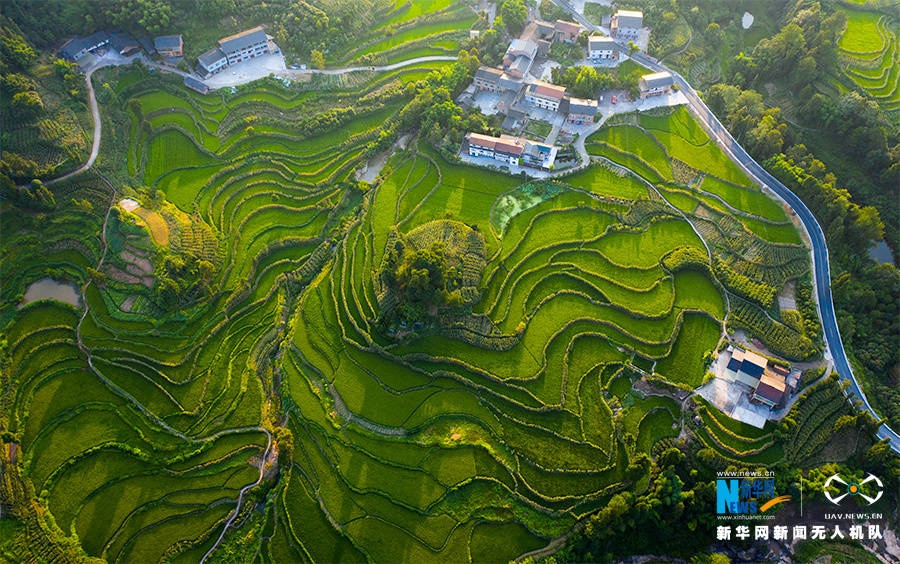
<point>520,91</point>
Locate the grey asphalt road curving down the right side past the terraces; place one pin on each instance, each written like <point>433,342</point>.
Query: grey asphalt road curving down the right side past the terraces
<point>814,231</point>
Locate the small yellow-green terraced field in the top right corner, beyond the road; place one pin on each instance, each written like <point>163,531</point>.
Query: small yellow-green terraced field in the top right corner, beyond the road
<point>869,54</point>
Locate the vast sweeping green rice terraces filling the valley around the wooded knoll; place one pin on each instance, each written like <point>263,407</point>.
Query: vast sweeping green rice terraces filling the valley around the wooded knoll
<point>476,438</point>
